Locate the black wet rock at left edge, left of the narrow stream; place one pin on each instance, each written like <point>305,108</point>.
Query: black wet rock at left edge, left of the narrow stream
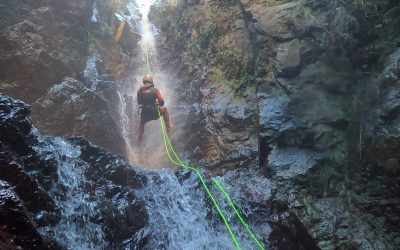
<point>16,141</point>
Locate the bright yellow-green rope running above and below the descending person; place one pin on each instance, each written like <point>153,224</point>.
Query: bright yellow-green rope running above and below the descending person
<point>178,162</point>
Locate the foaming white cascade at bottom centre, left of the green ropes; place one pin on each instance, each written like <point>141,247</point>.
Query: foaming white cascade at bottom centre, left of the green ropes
<point>178,219</point>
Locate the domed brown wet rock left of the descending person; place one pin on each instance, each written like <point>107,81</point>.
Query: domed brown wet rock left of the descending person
<point>65,111</point>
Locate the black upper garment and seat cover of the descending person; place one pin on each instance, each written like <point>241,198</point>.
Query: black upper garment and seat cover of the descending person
<point>149,101</point>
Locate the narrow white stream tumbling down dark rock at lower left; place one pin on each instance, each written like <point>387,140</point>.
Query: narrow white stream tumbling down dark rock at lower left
<point>75,230</point>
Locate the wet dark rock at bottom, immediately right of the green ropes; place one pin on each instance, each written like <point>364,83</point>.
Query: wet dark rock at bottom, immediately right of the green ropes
<point>255,198</point>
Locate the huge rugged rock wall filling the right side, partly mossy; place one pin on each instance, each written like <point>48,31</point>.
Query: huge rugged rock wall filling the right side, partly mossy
<point>326,109</point>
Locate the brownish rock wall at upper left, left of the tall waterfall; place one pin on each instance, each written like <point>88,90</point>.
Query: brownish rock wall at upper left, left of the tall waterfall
<point>67,51</point>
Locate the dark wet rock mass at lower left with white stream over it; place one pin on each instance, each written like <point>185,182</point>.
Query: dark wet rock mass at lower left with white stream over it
<point>56,193</point>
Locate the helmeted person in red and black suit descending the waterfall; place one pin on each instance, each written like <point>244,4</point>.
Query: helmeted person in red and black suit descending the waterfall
<point>150,99</point>
